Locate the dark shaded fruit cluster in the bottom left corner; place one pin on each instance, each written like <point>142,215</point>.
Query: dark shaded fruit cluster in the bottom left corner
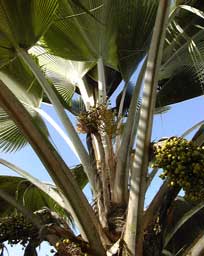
<point>16,229</point>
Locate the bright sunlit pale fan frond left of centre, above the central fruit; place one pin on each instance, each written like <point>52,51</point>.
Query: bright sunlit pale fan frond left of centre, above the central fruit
<point>64,74</point>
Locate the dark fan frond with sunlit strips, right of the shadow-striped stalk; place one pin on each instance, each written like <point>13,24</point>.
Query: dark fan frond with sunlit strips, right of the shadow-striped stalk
<point>181,73</point>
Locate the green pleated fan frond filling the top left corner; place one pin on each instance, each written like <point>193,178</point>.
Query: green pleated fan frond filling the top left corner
<point>32,17</point>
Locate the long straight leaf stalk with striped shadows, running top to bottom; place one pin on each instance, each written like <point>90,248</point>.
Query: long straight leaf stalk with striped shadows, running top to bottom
<point>134,229</point>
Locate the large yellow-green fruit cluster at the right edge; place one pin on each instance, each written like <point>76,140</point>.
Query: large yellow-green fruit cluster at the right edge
<point>183,163</point>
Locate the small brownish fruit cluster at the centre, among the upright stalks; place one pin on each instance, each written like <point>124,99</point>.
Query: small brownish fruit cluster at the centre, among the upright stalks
<point>97,119</point>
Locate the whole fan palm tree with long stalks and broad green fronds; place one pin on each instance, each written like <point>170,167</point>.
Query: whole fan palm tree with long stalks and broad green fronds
<point>74,55</point>
